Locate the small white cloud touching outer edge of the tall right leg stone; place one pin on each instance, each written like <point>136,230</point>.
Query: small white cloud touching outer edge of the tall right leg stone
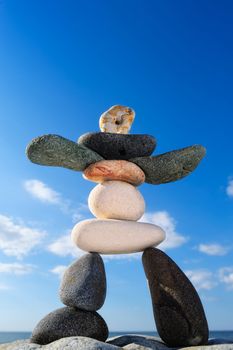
<point>201,279</point>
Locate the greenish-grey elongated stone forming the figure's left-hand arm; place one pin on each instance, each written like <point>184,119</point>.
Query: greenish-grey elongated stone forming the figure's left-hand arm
<point>55,150</point>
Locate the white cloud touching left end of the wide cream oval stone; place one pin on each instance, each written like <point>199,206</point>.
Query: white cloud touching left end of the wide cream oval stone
<point>63,246</point>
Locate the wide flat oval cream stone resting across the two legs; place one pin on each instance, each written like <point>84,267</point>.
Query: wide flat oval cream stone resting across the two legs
<point>116,236</point>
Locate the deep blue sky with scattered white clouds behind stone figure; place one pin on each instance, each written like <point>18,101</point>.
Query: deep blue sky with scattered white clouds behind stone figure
<point>62,63</point>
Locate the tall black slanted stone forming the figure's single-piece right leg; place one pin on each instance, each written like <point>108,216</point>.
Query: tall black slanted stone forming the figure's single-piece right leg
<point>178,312</point>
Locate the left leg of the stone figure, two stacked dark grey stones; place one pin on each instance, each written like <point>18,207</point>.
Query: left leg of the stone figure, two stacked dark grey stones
<point>83,291</point>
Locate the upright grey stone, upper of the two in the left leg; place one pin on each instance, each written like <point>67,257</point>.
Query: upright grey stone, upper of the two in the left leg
<point>84,283</point>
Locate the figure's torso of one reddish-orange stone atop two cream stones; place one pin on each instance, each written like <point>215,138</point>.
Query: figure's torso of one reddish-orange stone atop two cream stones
<point>117,205</point>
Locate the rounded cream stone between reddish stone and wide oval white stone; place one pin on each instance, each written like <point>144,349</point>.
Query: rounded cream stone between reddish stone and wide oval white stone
<point>116,200</point>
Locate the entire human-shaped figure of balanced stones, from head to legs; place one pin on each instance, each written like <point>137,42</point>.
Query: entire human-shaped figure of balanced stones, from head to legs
<point>119,162</point>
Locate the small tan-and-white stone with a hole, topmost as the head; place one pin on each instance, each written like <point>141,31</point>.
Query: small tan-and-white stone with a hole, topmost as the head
<point>117,119</point>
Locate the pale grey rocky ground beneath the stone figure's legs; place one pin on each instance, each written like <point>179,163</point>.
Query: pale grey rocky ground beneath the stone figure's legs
<point>128,342</point>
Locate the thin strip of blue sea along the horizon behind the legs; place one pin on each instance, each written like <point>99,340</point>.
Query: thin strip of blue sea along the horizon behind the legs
<point>6,337</point>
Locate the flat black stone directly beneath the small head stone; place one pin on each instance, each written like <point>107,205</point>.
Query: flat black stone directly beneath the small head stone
<point>118,146</point>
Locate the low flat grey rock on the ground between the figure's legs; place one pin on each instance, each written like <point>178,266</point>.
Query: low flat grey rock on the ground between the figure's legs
<point>149,342</point>
